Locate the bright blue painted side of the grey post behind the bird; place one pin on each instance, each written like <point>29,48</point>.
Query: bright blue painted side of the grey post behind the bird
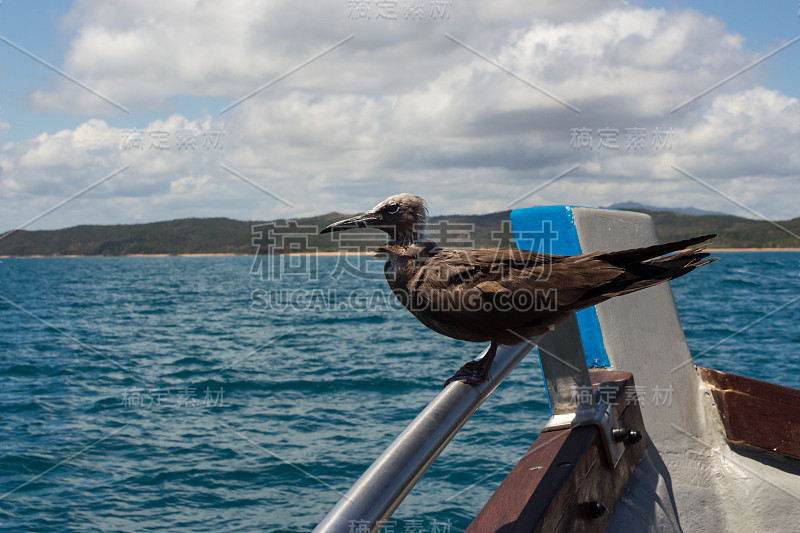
<point>551,229</point>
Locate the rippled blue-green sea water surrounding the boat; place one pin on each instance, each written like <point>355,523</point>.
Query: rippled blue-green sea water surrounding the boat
<point>191,394</point>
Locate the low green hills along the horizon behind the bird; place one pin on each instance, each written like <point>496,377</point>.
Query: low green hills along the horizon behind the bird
<point>228,236</point>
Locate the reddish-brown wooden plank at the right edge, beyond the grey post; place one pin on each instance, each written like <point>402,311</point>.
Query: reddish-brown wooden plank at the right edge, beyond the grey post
<point>756,413</point>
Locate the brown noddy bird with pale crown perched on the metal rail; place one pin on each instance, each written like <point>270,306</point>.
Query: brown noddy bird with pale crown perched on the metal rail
<point>505,295</point>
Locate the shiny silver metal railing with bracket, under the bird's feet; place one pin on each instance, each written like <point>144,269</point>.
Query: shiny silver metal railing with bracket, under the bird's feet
<point>385,484</point>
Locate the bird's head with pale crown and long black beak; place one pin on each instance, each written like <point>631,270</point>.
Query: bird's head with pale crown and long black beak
<point>402,216</point>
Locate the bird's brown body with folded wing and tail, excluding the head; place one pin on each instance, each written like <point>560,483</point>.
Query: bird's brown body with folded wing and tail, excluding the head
<point>507,295</point>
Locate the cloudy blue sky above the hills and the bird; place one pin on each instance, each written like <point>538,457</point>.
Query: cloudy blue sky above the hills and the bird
<point>398,105</point>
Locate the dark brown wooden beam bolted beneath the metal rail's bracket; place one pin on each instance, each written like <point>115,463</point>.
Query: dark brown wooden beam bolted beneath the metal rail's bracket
<point>564,470</point>
